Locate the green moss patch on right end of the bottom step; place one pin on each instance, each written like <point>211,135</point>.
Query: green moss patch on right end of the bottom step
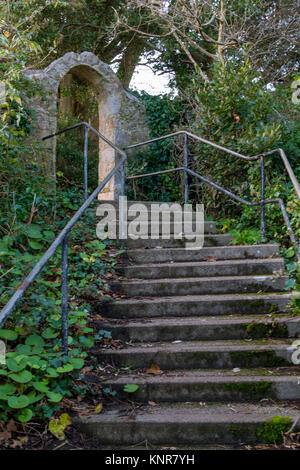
<point>271,431</point>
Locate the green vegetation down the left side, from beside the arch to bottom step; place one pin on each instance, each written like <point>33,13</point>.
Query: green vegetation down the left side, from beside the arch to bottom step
<point>37,376</point>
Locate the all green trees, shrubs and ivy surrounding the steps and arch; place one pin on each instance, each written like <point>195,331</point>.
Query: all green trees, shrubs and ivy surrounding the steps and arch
<point>225,94</point>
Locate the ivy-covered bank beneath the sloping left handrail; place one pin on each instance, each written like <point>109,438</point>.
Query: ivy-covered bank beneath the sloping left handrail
<point>36,375</point>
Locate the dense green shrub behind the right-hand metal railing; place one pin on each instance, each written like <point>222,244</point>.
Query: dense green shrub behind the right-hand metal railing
<point>235,110</point>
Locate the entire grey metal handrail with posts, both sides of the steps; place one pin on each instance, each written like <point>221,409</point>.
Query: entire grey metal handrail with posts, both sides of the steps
<point>62,238</point>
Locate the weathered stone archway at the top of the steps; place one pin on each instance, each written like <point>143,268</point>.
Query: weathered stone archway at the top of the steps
<point>122,118</point>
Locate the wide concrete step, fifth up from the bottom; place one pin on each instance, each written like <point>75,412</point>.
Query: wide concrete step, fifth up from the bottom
<point>200,305</point>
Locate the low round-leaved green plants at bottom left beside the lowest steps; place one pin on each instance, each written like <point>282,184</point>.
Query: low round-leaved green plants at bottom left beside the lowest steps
<point>36,374</point>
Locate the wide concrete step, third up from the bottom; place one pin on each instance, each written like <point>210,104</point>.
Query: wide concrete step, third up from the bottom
<point>202,355</point>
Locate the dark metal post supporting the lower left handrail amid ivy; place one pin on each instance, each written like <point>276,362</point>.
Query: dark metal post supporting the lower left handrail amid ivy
<point>64,295</point>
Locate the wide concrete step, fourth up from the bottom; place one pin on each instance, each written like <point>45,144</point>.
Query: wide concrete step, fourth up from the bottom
<point>203,328</point>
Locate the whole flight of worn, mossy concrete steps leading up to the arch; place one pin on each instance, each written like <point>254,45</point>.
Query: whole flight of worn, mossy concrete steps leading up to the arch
<point>216,323</point>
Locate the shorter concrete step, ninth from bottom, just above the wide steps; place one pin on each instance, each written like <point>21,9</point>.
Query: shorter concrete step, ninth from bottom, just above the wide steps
<point>209,240</point>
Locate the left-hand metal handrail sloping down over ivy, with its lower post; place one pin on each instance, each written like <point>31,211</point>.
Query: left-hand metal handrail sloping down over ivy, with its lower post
<point>62,239</point>
